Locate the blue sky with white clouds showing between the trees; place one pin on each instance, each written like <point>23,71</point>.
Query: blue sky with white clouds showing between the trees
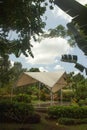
<point>47,53</point>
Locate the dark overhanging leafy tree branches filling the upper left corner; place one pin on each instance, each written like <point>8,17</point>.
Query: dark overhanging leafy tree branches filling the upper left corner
<point>23,17</point>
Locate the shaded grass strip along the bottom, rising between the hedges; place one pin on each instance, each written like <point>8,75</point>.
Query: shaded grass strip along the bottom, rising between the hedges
<point>45,124</point>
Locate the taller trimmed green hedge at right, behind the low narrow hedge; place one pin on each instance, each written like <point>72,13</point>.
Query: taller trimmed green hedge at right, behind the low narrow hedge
<point>67,111</point>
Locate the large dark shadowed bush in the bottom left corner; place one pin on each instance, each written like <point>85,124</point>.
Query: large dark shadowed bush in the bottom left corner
<point>17,112</point>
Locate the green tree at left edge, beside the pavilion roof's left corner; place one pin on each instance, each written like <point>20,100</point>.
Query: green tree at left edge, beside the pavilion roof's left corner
<point>9,74</point>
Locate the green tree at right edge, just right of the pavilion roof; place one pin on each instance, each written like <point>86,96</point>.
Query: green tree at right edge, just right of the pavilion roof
<point>78,84</point>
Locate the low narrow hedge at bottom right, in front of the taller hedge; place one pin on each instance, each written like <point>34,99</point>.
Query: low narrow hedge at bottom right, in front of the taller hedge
<point>72,121</point>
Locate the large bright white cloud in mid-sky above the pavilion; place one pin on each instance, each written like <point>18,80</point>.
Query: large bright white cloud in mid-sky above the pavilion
<point>46,51</point>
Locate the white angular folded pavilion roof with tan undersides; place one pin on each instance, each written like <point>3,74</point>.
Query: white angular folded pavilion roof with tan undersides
<point>53,80</point>
